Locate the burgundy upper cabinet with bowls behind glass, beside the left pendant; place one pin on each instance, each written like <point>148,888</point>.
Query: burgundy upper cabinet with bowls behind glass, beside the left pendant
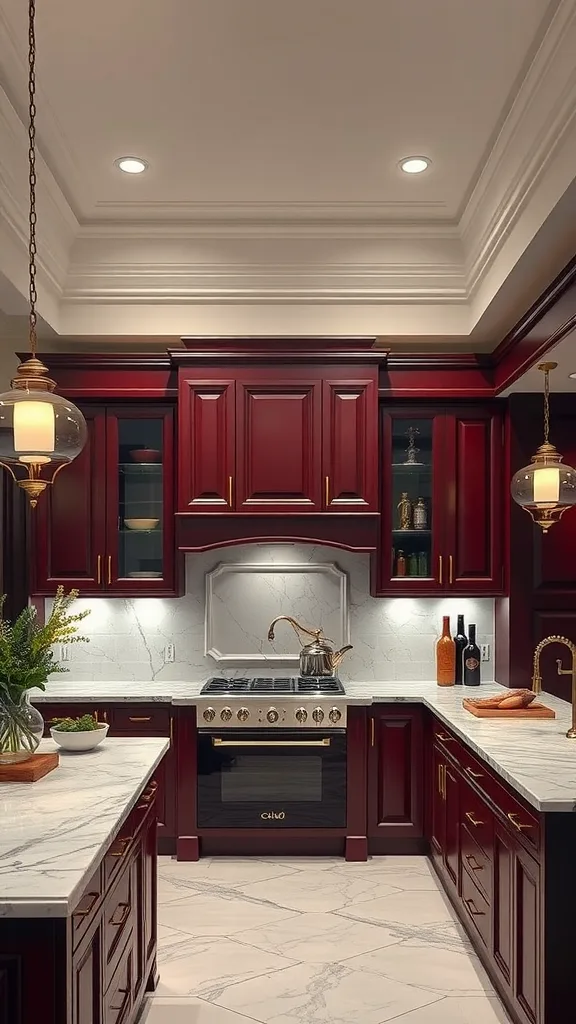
<point>107,523</point>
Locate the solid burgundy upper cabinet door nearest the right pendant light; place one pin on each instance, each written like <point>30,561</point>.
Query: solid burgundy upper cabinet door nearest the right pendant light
<point>475,502</point>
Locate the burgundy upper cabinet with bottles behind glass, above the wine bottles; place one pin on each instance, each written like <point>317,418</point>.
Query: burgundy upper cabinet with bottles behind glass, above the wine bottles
<point>443,494</point>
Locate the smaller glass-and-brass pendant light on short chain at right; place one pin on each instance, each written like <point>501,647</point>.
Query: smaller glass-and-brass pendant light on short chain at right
<point>547,488</point>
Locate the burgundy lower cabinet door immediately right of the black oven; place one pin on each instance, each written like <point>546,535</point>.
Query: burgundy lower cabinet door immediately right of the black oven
<point>396,775</point>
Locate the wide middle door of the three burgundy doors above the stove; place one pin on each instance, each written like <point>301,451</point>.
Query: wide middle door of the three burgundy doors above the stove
<point>278,450</point>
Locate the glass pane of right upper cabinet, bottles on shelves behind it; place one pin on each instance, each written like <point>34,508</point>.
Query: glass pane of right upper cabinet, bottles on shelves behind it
<point>412,498</point>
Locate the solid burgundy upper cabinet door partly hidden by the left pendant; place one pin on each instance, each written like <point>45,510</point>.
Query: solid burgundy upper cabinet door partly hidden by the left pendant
<point>70,521</point>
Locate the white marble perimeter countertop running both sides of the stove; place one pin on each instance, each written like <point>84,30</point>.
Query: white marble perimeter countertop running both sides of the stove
<point>534,757</point>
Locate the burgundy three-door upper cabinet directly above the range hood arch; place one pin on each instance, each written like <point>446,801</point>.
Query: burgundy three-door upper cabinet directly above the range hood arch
<point>287,441</point>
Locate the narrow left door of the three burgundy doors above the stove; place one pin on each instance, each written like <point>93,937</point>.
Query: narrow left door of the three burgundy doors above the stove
<point>207,445</point>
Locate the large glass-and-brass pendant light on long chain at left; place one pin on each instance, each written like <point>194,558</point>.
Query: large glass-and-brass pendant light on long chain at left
<point>40,433</point>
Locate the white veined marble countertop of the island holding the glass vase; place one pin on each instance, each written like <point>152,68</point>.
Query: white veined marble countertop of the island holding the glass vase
<point>55,832</point>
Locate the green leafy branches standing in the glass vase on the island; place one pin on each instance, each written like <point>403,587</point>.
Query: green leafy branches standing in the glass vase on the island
<point>27,660</point>
